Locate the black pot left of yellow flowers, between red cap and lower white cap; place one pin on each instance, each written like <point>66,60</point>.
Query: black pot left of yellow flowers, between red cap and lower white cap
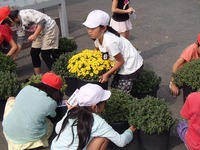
<point>72,85</point>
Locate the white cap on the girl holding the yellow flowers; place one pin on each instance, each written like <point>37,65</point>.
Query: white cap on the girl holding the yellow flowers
<point>96,18</point>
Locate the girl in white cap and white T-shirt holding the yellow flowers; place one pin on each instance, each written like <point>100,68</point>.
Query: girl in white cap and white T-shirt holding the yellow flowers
<point>128,62</point>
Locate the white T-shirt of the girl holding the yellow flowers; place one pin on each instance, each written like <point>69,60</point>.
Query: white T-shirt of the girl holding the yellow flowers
<point>114,45</point>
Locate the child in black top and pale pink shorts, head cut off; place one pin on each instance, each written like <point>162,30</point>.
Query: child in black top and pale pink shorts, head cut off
<point>120,20</point>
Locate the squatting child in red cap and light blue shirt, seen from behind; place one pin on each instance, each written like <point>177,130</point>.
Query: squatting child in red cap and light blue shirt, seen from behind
<point>25,123</point>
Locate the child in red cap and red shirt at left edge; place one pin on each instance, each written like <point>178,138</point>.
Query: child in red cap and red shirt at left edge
<point>7,44</point>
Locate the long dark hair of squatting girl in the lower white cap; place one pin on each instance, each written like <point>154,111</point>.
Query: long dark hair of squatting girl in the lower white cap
<point>84,122</point>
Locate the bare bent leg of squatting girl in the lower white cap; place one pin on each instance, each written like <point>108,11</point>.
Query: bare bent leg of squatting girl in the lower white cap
<point>98,143</point>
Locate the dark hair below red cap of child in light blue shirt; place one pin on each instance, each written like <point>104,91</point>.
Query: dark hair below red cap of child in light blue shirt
<point>51,92</point>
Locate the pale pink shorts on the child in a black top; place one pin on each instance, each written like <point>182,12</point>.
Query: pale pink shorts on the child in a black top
<point>121,26</point>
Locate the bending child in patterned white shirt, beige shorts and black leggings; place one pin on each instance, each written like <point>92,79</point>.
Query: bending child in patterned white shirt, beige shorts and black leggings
<point>45,35</point>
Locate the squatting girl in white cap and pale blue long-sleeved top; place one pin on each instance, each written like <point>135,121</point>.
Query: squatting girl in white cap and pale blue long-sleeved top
<point>81,127</point>
